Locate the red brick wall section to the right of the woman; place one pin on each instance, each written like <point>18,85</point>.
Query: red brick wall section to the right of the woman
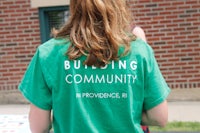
<point>173,30</point>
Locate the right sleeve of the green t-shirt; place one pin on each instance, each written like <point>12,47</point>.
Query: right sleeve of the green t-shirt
<point>156,88</point>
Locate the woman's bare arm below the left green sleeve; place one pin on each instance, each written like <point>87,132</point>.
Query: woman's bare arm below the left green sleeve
<point>40,120</point>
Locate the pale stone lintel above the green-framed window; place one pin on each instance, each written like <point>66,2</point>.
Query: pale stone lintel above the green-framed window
<point>47,3</point>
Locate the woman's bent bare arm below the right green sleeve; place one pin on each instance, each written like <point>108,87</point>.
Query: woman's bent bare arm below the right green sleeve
<point>157,116</point>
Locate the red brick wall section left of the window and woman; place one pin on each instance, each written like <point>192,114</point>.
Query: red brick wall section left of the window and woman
<point>19,36</point>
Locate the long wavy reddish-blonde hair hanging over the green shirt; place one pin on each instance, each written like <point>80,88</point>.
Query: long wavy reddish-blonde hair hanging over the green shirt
<point>97,28</point>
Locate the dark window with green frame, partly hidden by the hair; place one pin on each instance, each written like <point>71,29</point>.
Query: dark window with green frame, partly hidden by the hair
<point>51,17</point>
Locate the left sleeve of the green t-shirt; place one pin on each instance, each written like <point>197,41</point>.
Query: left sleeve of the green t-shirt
<point>34,86</point>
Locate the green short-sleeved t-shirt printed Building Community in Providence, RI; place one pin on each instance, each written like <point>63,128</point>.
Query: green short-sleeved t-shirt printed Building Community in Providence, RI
<point>94,100</point>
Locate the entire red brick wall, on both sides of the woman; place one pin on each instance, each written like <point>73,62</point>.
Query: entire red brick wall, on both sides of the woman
<point>172,28</point>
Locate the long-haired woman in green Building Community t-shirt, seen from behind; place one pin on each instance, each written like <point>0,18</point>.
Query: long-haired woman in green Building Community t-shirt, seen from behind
<point>95,75</point>
